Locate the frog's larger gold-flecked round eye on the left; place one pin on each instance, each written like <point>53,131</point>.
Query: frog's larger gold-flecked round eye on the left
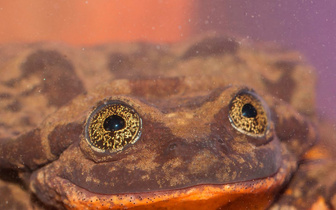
<point>112,126</point>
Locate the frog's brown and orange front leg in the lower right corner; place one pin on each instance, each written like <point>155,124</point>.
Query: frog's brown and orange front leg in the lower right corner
<point>314,184</point>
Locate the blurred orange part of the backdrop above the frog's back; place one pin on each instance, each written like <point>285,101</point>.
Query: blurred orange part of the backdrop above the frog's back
<point>95,21</point>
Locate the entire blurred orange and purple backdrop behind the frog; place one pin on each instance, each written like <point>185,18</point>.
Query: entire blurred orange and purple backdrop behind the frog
<point>308,26</point>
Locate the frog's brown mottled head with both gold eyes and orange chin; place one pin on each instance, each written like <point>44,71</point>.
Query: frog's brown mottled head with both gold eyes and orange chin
<point>149,145</point>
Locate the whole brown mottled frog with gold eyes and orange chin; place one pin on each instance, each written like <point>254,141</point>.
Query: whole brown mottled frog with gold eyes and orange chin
<point>209,123</point>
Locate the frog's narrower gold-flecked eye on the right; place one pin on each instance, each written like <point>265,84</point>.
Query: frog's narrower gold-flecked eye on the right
<point>248,114</point>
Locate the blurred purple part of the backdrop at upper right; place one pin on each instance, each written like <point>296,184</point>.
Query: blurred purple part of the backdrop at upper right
<point>308,26</point>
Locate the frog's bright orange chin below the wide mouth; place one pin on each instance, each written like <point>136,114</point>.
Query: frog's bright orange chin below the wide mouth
<point>259,192</point>
